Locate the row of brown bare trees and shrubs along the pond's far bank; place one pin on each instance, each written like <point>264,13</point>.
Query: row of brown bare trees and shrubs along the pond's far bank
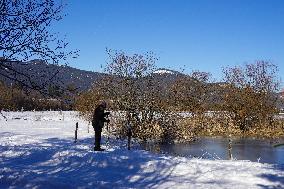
<point>243,104</point>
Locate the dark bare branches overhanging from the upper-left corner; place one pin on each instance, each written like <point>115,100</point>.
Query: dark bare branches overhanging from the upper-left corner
<point>25,34</point>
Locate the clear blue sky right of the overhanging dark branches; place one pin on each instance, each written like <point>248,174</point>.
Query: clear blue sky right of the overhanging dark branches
<point>203,35</point>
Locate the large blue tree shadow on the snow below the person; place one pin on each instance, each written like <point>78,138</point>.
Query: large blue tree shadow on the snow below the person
<point>60,163</point>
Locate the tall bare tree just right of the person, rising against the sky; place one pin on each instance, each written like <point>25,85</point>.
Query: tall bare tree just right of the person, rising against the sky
<point>131,88</point>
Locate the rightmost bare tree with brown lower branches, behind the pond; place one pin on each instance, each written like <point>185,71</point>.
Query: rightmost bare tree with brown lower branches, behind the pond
<point>251,93</point>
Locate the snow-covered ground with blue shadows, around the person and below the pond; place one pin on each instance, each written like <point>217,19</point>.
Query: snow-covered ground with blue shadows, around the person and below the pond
<point>37,150</point>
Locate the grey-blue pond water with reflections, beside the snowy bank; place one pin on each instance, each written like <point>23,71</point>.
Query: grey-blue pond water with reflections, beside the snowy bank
<point>224,148</point>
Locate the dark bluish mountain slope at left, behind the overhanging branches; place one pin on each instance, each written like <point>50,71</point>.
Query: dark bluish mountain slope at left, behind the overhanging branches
<point>39,72</point>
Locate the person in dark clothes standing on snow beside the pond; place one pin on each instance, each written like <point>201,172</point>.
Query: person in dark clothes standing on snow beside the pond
<point>99,118</point>
